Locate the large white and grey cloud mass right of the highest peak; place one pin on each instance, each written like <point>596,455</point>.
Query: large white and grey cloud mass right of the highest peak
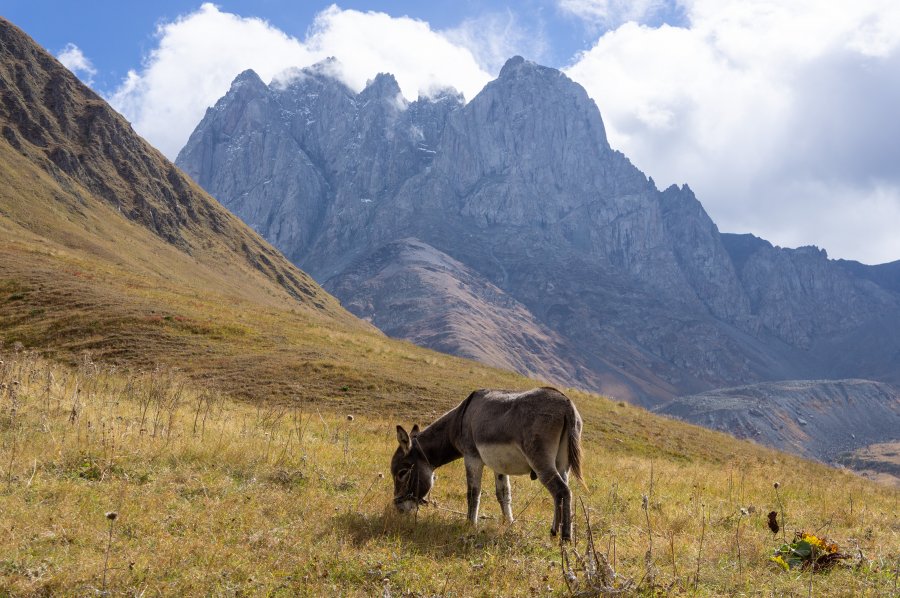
<point>779,115</point>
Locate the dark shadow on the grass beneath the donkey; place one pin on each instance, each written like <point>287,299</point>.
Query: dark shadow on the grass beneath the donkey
<point>426,532</point>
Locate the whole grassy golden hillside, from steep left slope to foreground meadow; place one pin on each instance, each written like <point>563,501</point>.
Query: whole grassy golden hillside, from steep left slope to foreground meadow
<point>183,412</point>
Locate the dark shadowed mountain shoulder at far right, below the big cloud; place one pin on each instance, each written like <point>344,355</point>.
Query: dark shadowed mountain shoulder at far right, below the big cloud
<point>842,316</point>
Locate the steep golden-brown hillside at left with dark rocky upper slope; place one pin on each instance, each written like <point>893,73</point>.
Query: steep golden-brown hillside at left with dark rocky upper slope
<point>108,252</point>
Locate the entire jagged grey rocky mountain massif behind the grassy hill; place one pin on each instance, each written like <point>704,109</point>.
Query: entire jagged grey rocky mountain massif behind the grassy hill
<point>616,286</point>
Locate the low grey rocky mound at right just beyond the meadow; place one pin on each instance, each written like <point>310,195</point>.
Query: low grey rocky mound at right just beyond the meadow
<point>816,419</point>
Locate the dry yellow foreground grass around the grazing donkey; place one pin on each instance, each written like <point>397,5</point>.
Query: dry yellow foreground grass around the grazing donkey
<point>218,497</point>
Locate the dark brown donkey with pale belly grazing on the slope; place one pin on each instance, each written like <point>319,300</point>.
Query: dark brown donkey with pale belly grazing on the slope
<point>513,433</point>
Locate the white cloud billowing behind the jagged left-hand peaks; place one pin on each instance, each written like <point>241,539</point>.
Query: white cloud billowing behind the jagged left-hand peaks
<point>199,54</point>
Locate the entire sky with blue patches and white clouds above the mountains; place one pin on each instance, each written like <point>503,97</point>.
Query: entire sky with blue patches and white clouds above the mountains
<point>781,115</point>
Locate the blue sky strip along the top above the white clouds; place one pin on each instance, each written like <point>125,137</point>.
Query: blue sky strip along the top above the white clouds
<point>116,35</point>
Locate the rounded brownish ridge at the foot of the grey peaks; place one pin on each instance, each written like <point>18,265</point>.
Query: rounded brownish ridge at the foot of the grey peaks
<point>410,290</point>
